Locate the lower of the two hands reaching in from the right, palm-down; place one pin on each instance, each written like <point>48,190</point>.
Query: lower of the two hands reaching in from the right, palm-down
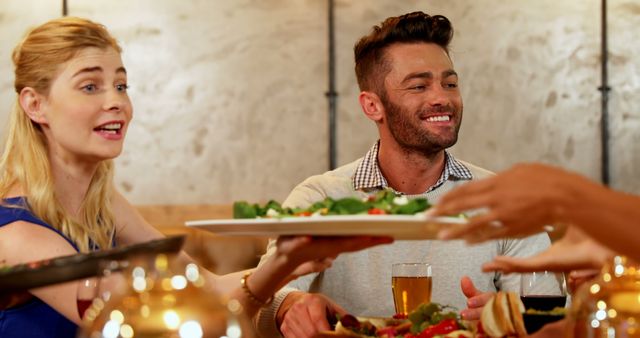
<point>572,252</point>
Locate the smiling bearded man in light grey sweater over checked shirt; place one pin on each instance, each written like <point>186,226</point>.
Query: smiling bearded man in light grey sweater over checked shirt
<point>409,89</point>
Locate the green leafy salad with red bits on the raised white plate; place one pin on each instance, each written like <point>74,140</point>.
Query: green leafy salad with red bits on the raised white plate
<point>385,202</point>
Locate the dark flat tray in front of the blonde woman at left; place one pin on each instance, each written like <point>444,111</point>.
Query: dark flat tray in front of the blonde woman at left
<point>67,268</point>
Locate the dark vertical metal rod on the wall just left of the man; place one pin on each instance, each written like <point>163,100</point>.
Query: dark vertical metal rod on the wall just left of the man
<point>332,95</point>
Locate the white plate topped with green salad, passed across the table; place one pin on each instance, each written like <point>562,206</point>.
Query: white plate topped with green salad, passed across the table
<point>382,214</point>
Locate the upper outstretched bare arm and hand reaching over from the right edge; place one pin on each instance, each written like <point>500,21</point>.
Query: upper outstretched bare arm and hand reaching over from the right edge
<point>520,201</point>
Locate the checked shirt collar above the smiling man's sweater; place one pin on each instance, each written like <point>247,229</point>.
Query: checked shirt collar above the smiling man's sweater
<point>368,175</point>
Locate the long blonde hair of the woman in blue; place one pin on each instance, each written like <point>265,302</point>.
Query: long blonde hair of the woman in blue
<point>25,162</point>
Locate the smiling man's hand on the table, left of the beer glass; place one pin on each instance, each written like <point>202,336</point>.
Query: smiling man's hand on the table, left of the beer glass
<point>303,314</point>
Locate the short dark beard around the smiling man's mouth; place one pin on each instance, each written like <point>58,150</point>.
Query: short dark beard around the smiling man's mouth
<point>406,128</point>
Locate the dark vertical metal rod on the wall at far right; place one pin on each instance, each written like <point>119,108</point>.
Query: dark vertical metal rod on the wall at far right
<point>604,90</point>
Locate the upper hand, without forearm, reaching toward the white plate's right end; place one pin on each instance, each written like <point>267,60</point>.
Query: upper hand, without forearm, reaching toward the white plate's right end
<point>519,202</point>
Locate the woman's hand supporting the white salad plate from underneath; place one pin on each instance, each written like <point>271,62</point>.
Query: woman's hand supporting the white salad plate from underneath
<point>315,254</point>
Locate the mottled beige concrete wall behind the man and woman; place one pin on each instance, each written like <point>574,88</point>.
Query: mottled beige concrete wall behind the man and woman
<point>229,95</point>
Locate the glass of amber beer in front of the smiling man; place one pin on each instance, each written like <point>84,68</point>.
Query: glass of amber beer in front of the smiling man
<point>411,286</point>
